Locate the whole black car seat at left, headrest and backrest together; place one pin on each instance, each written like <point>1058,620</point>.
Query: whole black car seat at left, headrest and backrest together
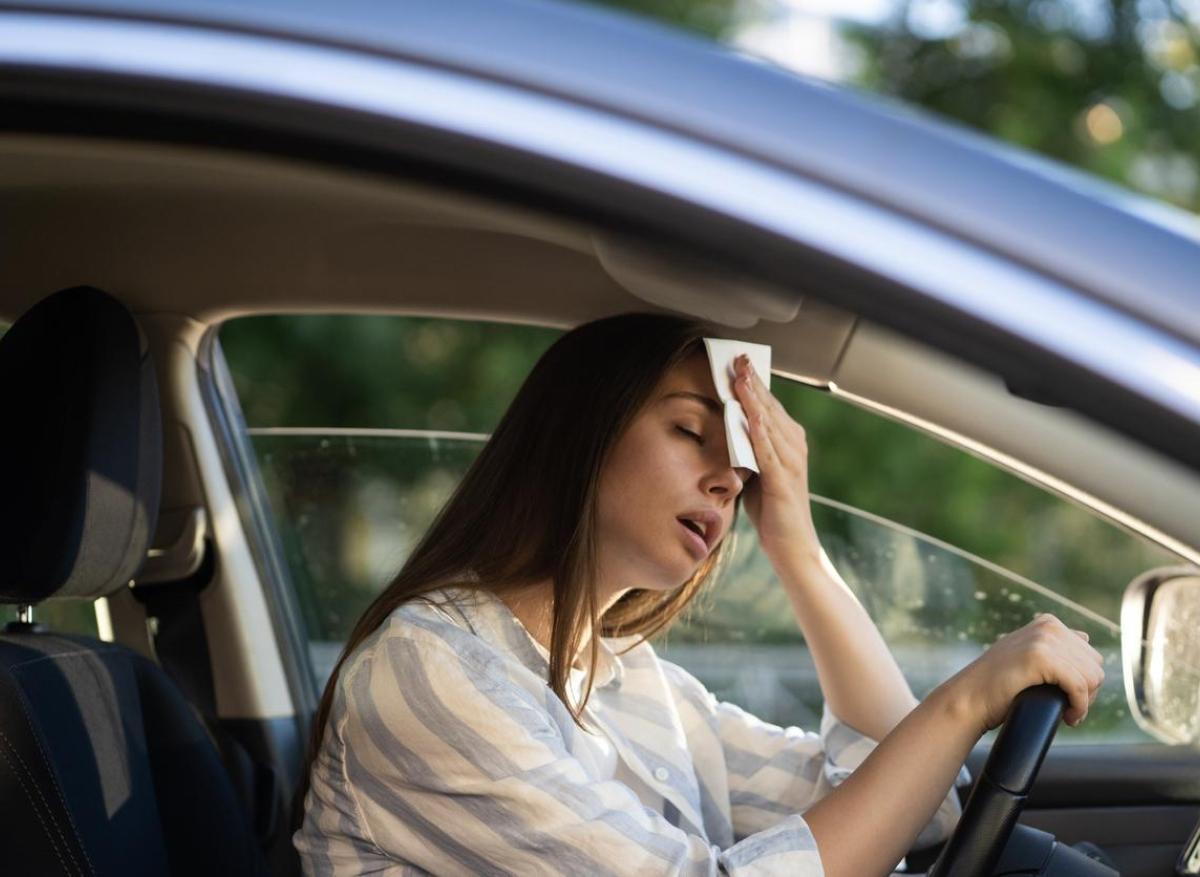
<point>105,768</point>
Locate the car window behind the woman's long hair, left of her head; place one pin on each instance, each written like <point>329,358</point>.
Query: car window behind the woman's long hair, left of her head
<point>362,427</point>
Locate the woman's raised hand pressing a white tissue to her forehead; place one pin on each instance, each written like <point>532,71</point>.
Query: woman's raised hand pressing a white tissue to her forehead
<point>778,501</point>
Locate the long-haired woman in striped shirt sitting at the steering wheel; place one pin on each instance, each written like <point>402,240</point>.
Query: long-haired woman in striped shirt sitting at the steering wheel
<point>499,710</point>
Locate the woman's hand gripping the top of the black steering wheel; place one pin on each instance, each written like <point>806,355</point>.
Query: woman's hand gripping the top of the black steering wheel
<point>1045,651</point>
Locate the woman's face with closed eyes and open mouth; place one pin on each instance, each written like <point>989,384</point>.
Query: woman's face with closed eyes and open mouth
<point>670,467</point>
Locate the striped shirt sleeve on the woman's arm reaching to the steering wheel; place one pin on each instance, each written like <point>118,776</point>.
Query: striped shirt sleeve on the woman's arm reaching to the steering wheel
<point>458,770</point>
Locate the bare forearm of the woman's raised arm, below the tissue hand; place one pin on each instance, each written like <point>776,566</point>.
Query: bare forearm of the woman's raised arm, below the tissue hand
<point>859,676</point>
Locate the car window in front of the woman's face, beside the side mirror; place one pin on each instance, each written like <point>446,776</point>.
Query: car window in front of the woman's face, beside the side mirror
<point>946,551</point>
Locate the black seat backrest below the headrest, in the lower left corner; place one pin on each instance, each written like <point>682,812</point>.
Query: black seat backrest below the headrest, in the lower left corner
<point>106,771</point>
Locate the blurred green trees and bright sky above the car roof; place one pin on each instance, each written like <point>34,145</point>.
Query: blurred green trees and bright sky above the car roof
<point>1108,86</point>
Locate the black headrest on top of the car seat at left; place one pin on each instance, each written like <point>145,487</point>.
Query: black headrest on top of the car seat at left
<point>81,450</point>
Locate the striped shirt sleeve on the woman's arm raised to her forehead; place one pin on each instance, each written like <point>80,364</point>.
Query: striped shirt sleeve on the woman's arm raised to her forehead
<point>775,772</point>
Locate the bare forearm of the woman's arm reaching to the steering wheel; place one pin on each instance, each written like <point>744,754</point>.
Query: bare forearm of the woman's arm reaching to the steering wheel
<point>896,791</point>
